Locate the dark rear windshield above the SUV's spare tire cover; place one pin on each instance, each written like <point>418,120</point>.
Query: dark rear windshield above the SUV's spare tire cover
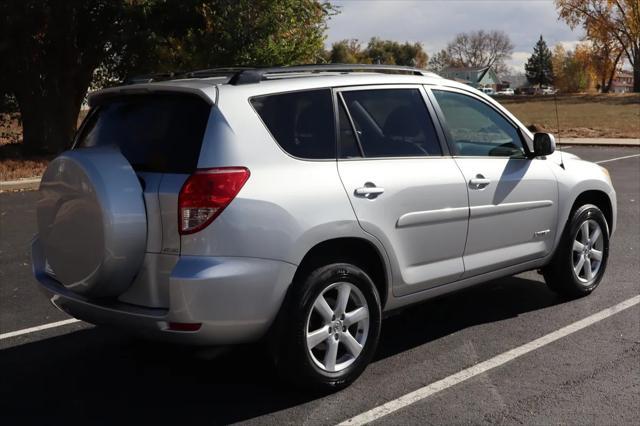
<point>156,133</point>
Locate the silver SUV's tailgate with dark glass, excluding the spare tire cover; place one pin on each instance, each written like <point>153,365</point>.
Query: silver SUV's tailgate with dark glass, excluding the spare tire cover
<point>161,136</point>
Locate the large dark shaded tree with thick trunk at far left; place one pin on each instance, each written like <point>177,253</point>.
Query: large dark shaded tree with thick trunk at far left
<point>49,52</point>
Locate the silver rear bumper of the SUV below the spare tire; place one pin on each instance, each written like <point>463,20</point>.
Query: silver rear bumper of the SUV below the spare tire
<point>235,299</point>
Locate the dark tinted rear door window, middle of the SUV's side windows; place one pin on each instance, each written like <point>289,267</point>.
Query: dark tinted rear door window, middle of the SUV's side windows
<point>392,123</point>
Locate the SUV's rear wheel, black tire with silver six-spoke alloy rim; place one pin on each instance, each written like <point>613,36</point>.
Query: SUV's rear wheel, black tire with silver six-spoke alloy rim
<point>331,328</point>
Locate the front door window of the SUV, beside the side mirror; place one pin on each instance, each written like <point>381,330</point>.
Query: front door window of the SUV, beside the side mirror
<point>476,129</point>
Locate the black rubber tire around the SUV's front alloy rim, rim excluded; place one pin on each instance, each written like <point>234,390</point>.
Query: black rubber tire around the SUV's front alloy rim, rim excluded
<point>559,274</point>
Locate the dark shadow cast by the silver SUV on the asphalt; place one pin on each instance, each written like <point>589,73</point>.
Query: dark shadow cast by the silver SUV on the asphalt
<point>97,375</point>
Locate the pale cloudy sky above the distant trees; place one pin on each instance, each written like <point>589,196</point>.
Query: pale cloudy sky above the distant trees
<point>436,22</point>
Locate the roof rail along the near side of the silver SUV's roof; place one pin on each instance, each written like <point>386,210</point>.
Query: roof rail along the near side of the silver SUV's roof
<point>256,75</point>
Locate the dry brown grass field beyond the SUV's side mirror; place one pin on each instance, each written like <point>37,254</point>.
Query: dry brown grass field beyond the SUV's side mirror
<point>585,116</point>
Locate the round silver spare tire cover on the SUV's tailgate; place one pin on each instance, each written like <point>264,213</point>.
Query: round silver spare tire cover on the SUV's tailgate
<point>92,221</point>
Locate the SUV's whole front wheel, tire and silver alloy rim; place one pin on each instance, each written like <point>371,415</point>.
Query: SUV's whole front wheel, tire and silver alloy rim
<point>581,258</point>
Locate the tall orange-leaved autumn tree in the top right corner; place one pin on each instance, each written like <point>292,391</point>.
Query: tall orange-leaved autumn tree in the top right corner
<point>615,19</point>
